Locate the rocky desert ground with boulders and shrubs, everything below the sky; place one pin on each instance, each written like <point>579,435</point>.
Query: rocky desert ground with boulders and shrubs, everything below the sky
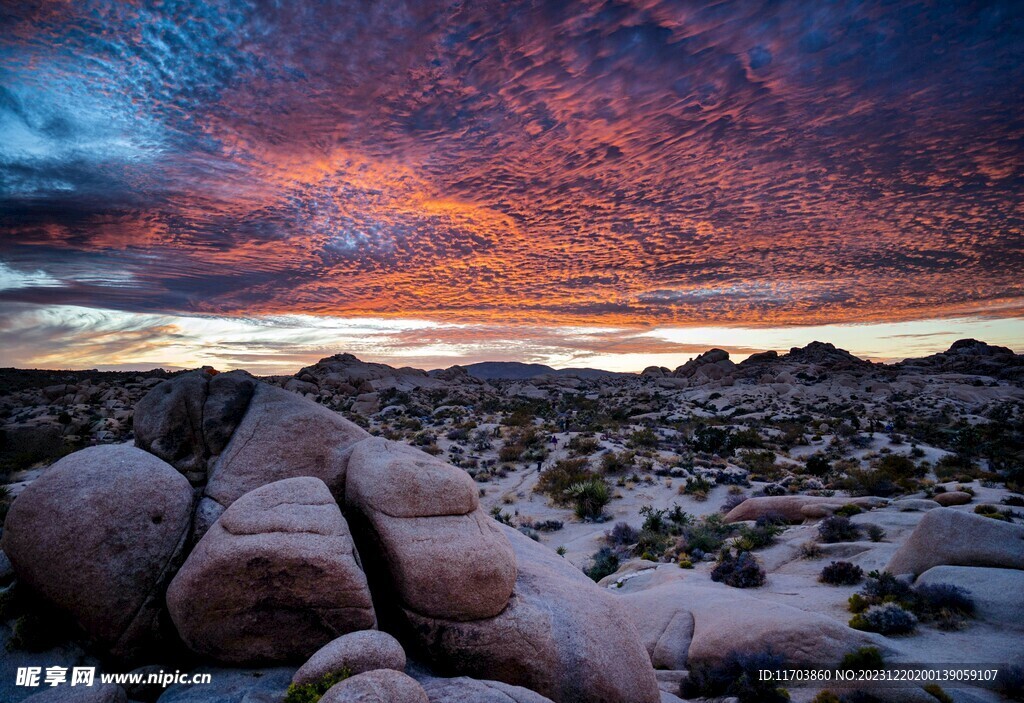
<point>572,536</point>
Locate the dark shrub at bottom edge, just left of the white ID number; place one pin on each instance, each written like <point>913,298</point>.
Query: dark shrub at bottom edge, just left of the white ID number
<point>738,676</point>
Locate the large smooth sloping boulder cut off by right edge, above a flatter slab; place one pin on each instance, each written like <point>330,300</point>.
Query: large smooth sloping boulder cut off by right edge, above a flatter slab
<point>949,537</point>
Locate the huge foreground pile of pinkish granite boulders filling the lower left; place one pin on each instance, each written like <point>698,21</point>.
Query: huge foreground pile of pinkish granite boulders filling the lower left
<point>251,526</point>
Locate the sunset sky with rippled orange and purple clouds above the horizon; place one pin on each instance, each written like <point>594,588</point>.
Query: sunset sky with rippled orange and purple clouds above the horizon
<point>613,185</point>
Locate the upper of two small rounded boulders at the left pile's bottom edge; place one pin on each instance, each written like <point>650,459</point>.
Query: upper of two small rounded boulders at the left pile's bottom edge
<point>366,650</point>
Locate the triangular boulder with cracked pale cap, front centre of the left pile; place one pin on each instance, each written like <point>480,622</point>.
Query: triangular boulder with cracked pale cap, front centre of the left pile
<point>274,580</point>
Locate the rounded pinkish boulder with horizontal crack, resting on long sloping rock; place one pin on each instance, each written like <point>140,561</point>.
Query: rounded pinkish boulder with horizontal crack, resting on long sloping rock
<point>421,520</point>
